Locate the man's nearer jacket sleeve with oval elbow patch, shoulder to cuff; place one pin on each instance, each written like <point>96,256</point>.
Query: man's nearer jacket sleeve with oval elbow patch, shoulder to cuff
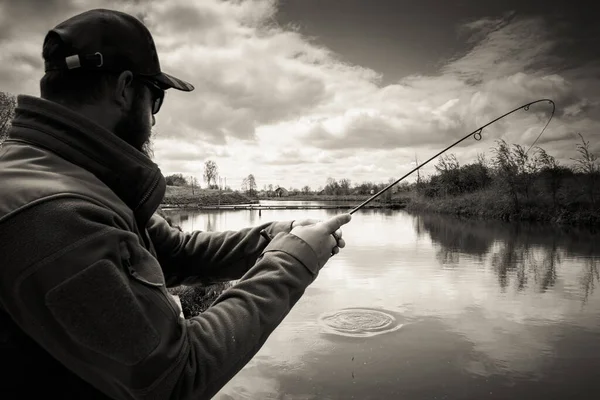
<point>91,296</point>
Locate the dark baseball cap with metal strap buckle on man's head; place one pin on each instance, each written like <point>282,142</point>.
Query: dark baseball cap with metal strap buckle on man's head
<point>109,40</point>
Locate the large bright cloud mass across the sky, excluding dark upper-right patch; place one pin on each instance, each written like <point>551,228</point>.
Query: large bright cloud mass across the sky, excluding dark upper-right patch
<point>280,103</point>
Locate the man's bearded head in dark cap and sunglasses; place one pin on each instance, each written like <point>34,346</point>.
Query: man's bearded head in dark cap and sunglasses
<point>104,64</point>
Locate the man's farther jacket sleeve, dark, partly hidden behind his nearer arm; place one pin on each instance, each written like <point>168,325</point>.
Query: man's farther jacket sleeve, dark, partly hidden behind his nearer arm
<point>208,257</point>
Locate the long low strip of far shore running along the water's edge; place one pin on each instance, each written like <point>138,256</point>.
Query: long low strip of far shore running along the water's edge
<point>484,204</point>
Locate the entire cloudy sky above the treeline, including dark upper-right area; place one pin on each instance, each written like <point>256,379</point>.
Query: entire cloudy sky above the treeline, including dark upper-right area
<point>296,91</point>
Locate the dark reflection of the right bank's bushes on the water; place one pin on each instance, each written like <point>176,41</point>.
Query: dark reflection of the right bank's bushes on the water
<point>522,255</point>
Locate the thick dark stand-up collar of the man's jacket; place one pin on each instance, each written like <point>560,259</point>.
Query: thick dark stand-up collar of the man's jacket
<point>131,175</point>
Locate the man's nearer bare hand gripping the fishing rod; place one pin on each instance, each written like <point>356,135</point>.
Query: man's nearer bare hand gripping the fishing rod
<point>324,237</point>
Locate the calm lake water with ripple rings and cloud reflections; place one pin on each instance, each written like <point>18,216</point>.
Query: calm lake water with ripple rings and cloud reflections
<point>462,310</point>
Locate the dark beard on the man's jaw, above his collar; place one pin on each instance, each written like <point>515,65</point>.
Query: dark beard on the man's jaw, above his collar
<point>135,129</point>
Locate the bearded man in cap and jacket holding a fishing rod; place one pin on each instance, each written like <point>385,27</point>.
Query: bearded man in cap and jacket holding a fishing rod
<point>85,261</point>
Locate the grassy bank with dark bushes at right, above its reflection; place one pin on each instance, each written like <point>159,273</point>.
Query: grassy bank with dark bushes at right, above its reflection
<point>492,204</point>
